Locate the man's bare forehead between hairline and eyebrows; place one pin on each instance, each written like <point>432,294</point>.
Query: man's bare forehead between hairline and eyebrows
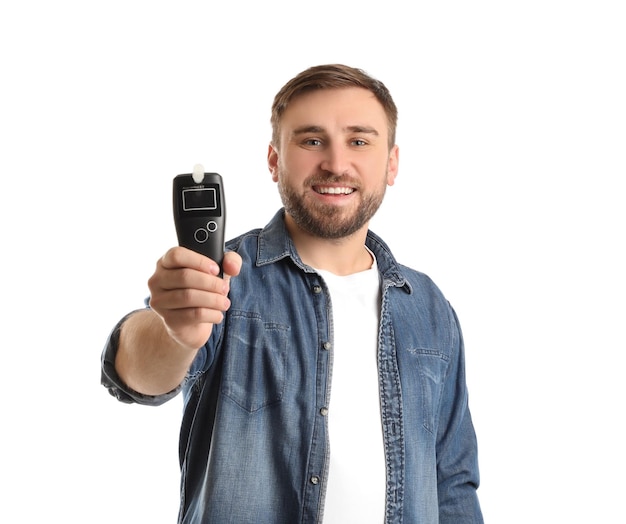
<point>335,108</point>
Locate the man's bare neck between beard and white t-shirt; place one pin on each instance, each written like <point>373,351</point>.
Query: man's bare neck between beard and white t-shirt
<point>341,256</point>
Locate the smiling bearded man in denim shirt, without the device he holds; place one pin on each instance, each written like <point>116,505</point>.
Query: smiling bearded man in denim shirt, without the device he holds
<point>329,382</point>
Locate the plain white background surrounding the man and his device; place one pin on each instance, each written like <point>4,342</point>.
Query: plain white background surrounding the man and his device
<point>510,196</point>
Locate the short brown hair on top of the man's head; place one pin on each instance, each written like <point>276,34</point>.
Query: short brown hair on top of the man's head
<point>332,76</point>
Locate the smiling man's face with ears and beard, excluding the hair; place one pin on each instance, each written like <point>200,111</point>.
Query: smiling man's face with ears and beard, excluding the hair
<point>333,162</point>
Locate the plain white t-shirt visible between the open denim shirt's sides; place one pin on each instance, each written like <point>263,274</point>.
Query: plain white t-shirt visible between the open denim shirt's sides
<point>356,482</point>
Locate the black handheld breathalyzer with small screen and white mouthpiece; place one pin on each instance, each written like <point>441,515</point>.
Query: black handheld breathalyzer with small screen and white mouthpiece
<point>200,212</point>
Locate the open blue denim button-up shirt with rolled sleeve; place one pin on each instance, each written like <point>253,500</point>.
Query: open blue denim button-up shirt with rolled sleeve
<point>254,436</point>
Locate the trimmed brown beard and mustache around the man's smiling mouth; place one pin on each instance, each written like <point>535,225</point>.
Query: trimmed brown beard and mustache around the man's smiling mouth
<point>326,220</point>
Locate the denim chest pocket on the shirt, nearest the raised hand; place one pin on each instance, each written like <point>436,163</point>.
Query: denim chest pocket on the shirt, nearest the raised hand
<point>254,360</point>
